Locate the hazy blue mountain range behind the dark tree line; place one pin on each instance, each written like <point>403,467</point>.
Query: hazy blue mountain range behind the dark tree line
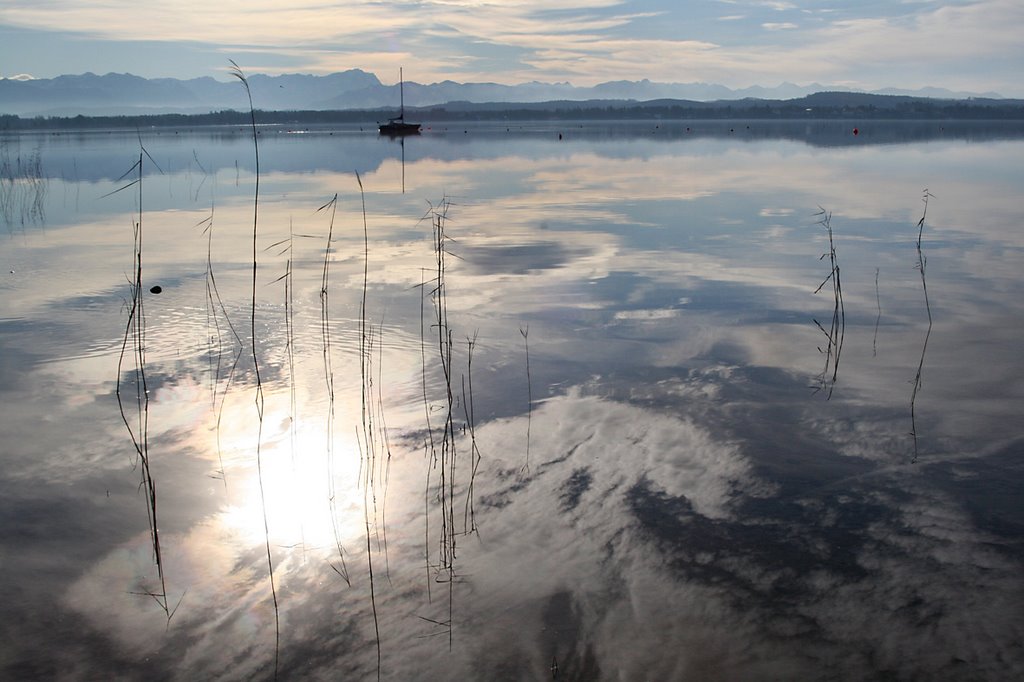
<point>91,95</point>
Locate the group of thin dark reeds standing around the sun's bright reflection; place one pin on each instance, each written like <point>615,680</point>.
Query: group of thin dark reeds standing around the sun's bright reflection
<point>450,483</point>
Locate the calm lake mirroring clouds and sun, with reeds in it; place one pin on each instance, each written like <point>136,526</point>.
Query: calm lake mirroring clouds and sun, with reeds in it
<point>666,401</point>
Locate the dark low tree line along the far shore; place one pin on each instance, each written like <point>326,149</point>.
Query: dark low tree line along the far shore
<point>808,108</point>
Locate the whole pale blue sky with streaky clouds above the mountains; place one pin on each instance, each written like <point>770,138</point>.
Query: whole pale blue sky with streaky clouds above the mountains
<point>963,46</point>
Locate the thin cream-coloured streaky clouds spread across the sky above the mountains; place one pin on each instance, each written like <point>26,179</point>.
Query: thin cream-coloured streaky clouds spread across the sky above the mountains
<point>586,42</point>
